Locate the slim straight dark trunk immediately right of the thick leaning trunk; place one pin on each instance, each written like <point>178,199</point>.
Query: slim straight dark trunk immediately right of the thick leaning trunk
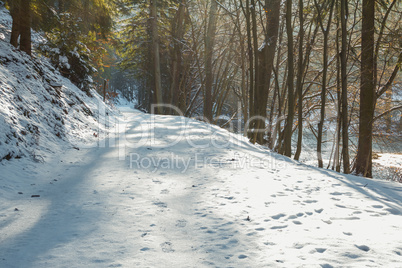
<point>289,121</point>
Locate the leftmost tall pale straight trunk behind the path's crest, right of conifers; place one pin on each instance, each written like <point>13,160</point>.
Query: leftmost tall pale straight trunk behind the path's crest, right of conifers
<point>157,94</point>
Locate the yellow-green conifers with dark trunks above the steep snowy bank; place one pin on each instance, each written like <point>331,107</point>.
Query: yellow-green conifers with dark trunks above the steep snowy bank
<point>71,28</point>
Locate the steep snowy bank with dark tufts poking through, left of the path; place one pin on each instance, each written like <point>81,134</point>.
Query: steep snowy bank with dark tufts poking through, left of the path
<point>36,116</point>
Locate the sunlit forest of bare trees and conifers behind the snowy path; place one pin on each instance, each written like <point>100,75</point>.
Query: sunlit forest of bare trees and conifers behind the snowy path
<point>273,70</point>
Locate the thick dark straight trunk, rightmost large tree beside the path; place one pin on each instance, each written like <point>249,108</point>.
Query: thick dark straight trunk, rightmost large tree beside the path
<point>367,91</point>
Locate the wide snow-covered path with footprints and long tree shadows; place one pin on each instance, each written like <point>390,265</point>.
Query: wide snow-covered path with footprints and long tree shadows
<point>173,192</point>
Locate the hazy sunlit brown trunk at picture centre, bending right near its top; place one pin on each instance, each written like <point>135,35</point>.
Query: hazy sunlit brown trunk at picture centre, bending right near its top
<point>209,46</point>
